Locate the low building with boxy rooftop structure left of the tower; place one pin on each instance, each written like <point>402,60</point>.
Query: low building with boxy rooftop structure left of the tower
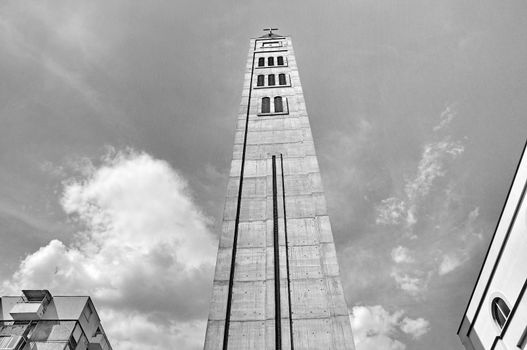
<point>36,320</point>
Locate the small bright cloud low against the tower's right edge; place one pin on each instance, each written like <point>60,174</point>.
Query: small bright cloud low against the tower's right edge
<point>374,328</point>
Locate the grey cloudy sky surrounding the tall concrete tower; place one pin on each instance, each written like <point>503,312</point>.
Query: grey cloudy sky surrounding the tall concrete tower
<point>117,128</point>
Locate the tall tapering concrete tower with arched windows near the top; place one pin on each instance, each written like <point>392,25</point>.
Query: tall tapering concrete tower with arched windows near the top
<point>277,283</point>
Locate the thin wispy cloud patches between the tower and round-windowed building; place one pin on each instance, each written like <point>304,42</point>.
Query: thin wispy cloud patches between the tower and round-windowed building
<point>415,210</point>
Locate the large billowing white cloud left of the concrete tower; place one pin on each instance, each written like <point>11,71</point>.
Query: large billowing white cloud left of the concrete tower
<point>145,255</point>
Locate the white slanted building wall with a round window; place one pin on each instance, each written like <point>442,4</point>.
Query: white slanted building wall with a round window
<point>496,316</point>
